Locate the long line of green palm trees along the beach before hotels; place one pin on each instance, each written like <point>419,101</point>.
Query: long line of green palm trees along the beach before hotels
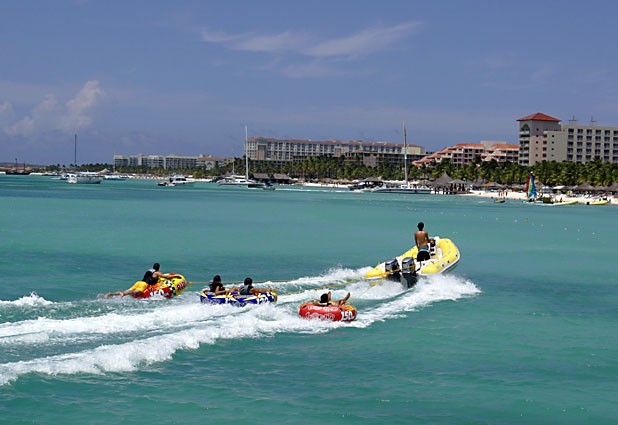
<point>596,172</point>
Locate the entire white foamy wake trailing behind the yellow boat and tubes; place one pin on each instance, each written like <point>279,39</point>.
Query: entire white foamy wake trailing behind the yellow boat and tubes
<point>122,335</point>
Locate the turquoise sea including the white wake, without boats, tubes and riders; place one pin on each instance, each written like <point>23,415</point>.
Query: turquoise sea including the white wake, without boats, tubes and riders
<point>523,331</point>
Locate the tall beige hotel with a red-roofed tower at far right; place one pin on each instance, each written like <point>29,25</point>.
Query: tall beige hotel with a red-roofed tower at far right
<point>543,138</point>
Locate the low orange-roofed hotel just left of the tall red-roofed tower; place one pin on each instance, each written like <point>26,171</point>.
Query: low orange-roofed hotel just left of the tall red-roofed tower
<point>464,153</point>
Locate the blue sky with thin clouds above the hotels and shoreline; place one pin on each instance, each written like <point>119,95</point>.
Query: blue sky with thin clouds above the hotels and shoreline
<point>185,77</point>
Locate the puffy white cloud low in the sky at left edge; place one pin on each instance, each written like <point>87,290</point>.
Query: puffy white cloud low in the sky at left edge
<point>49,114</point>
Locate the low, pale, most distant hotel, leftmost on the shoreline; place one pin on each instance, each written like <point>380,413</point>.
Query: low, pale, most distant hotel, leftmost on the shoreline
<point>169,161</point>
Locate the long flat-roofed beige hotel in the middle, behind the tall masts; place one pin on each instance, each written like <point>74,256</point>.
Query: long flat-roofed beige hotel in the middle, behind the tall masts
<point>281,152</point>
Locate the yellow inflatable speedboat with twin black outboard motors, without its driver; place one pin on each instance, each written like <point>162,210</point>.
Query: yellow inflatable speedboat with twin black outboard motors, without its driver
<point>444,257</point>
